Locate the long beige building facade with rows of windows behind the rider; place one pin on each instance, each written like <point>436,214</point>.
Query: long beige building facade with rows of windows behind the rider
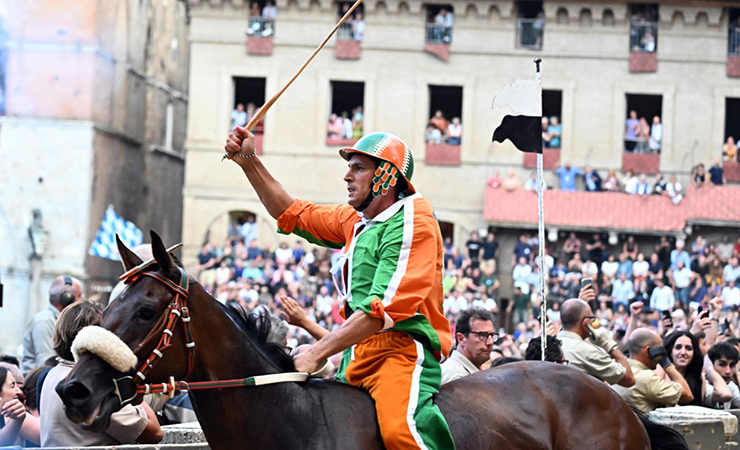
<point>590,62</point>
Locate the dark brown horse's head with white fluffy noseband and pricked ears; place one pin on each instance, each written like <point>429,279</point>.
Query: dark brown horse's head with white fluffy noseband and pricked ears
<point>98,386</point>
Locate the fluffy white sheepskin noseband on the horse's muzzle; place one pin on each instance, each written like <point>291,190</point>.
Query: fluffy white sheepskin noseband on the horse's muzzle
<point>106,345</point>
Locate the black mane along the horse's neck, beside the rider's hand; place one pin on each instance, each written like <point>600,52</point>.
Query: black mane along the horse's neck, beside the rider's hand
<point>256,328</point>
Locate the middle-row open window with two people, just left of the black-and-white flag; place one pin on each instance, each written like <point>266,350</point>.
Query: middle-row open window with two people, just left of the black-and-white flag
<point>445,112</point>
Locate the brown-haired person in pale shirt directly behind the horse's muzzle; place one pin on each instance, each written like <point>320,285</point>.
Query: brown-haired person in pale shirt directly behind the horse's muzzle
<point>130,424</point>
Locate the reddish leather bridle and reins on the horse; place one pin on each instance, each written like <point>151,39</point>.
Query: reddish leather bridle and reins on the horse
<point>178,312</point>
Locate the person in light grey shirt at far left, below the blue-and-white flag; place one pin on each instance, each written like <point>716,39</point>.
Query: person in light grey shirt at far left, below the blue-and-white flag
<point>37,346</point>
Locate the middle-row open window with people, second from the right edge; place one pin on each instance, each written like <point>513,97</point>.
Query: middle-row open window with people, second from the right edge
<point>643,130</point>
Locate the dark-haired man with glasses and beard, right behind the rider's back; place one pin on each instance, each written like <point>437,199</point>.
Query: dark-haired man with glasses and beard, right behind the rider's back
<point>475,338</point>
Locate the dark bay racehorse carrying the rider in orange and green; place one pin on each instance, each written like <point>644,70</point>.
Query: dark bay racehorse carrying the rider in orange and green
<point>527,405</point>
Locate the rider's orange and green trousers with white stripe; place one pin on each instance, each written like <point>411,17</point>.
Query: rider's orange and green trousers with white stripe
<point>402,376</point>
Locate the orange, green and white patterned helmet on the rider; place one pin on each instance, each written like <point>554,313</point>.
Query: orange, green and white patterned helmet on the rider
<point>395,156</point>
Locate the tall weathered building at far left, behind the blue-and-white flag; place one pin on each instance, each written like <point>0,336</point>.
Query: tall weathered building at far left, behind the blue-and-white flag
<point>94,105</point>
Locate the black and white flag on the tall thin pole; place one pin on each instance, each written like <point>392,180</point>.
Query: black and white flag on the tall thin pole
<point>521,104</point>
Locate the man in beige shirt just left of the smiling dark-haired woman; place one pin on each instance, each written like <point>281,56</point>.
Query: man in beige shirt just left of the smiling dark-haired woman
<point>650,391</point>
